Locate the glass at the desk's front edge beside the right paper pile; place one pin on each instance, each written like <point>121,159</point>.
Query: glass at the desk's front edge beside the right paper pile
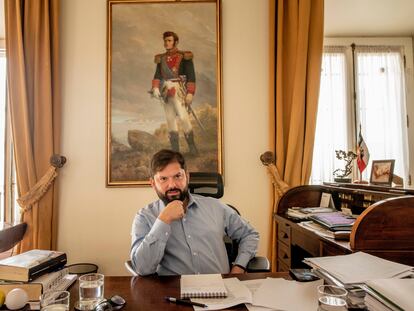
<point>332,298</point>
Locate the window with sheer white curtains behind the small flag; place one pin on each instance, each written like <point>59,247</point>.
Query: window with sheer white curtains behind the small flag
<point>363,84</point>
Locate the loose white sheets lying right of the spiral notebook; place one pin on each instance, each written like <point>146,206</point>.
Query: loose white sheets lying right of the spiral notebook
<point>266,294</point>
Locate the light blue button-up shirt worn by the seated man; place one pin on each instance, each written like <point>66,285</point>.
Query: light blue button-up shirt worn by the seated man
<point>193,244</point>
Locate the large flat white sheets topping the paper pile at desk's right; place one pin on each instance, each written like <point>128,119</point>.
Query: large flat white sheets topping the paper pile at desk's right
<point>359,267</point>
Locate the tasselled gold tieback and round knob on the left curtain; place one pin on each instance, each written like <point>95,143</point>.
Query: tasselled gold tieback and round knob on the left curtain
<point>42,186</point>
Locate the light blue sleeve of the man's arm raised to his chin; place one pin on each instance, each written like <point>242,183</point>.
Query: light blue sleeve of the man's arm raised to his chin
<point>148,244</point>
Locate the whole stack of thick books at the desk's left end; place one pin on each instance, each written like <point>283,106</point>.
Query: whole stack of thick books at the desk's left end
<point>36,272</point>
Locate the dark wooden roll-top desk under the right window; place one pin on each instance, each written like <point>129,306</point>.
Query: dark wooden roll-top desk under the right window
<point>385,227</point>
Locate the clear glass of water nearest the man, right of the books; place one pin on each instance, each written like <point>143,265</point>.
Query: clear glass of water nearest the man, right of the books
<point>91,290</point>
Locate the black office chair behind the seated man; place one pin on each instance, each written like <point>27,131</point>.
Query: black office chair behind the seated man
<point>211,185</point>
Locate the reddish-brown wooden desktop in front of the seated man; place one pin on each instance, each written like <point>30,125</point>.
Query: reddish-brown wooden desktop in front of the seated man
<point>147,293</point>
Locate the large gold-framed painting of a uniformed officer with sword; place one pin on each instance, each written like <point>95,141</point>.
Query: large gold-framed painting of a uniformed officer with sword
<point>163,86</point>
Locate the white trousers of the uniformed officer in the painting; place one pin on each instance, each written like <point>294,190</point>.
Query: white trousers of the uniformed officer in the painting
<point>174,93</point>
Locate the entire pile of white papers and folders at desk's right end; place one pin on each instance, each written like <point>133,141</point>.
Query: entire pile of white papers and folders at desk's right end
<point>365,276</point>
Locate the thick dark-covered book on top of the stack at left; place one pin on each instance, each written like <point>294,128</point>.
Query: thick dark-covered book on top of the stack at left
<point>31,264</point>
